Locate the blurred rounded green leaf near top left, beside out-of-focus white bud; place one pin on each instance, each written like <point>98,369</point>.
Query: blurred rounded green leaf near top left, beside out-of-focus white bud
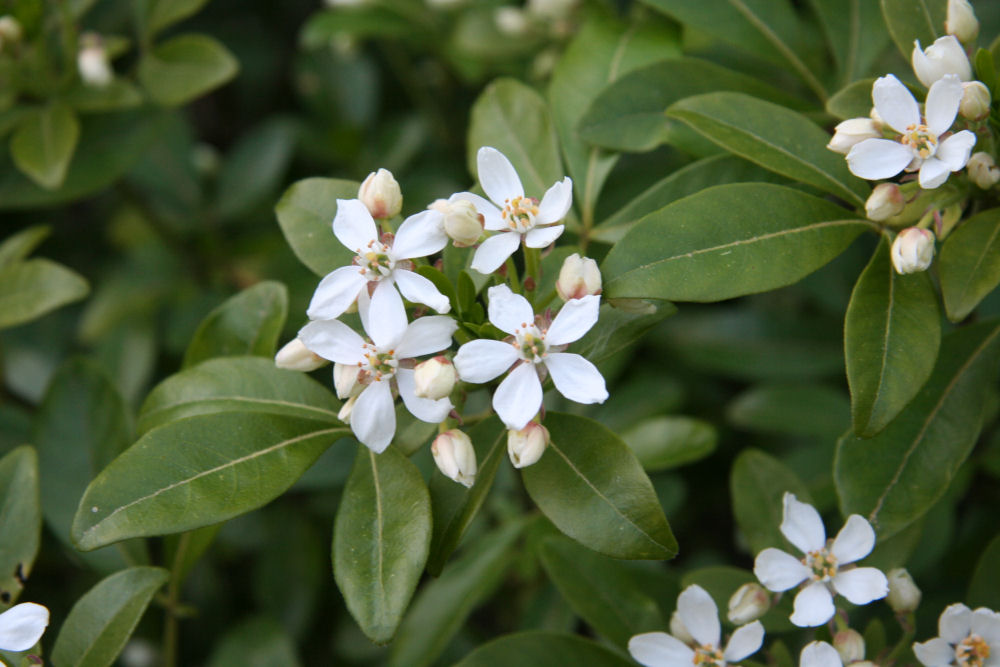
<point>185,67</point>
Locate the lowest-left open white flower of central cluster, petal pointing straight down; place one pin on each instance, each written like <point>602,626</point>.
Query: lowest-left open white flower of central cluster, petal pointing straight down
<point>381,360</point>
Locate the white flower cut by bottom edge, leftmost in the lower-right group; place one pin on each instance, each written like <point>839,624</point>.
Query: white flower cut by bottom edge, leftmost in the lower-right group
<point>700,616</point>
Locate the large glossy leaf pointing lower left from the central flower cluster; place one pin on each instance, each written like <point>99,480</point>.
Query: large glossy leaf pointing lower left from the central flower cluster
<point>221,465</point>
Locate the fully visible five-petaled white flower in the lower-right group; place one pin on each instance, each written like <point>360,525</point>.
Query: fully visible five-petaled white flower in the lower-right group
<point>823,564</point>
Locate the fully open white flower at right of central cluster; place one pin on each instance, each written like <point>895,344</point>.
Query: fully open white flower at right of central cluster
<point>531,349</point>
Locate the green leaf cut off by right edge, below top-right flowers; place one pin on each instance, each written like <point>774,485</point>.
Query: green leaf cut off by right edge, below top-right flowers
<point>969,264</point>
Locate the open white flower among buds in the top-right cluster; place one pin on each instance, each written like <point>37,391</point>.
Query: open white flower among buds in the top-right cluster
<point>920,145</point>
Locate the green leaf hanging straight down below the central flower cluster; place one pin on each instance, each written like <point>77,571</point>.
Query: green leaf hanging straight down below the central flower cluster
<point>381,540</point>
